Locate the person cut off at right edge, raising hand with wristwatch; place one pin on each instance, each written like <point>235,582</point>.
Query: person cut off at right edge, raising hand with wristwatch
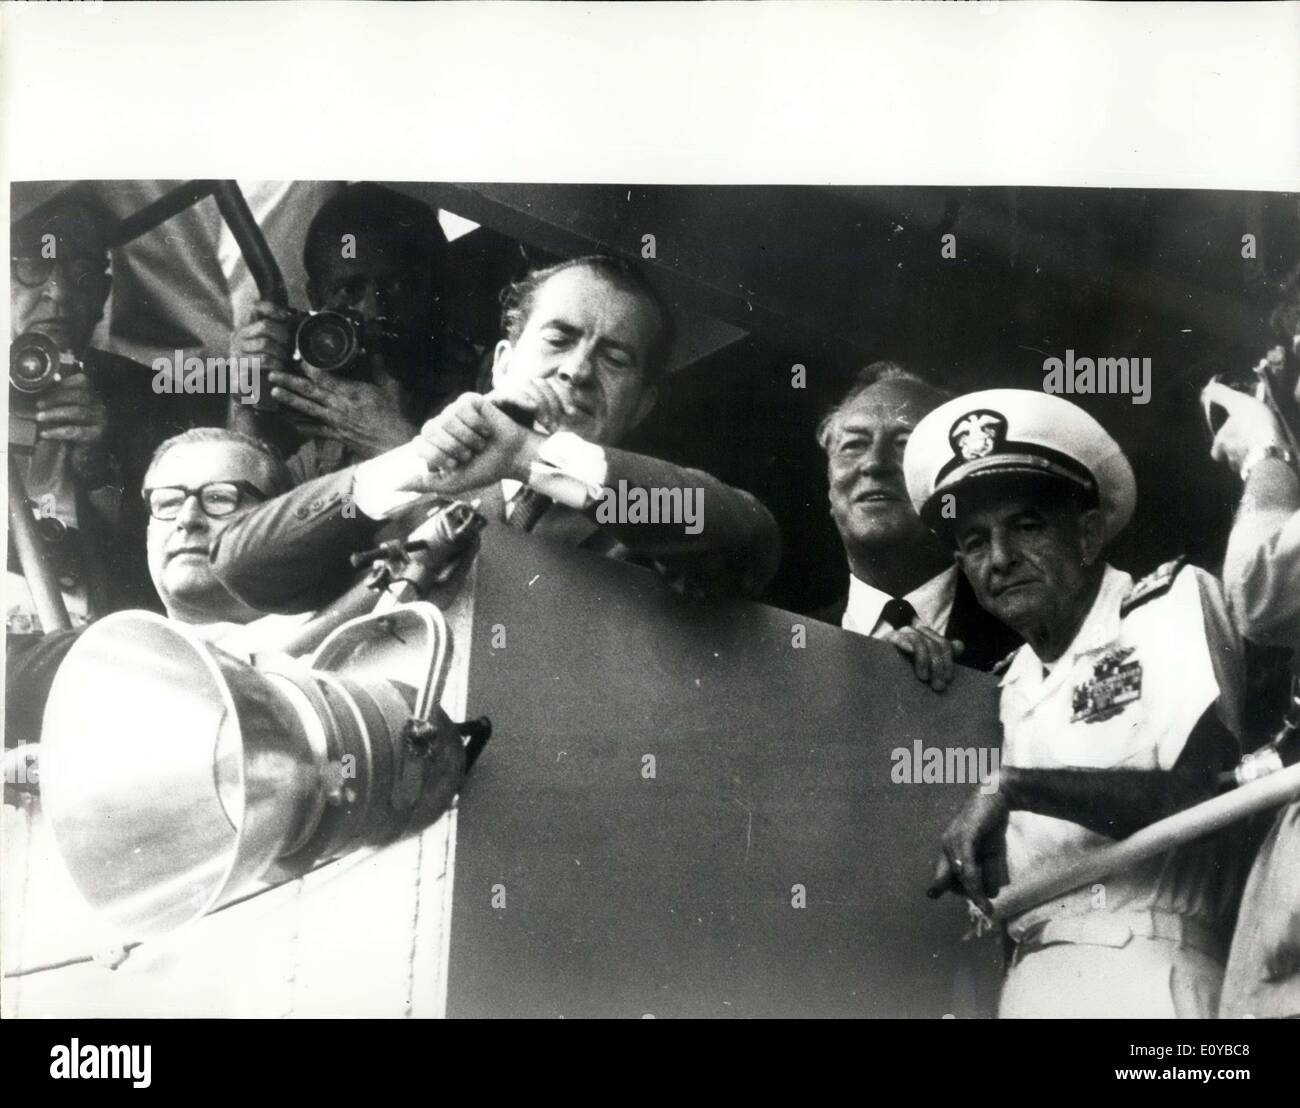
<point>1262,573</point>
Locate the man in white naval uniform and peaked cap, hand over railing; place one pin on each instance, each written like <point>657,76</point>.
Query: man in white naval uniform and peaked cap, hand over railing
<point>1120,709</point>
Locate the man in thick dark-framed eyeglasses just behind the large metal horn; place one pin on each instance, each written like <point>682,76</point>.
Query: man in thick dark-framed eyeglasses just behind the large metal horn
<point>198,484</point>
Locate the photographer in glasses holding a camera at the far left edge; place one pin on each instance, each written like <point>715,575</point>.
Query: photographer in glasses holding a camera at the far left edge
<point>81,421</point>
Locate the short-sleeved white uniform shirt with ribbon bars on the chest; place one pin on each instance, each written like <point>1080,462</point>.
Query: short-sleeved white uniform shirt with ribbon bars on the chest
<point>1125,696</point>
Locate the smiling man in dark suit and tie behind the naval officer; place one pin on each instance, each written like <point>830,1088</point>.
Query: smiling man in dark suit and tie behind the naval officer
<point>904,586</point>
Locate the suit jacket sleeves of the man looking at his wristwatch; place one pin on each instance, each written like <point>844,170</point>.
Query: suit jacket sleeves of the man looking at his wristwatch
<point>291,555</point>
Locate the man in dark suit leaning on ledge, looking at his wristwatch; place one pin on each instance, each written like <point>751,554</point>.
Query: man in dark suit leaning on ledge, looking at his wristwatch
<point>584,348</point>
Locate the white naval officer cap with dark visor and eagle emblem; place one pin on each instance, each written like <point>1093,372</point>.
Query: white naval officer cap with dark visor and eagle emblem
<point>1004,434</point>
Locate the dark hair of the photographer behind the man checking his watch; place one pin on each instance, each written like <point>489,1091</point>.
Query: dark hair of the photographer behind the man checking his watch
<point>400,224</point>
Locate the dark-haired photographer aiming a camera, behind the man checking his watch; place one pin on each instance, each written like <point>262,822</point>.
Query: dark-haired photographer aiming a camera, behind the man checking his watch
<point>382,257</point>
